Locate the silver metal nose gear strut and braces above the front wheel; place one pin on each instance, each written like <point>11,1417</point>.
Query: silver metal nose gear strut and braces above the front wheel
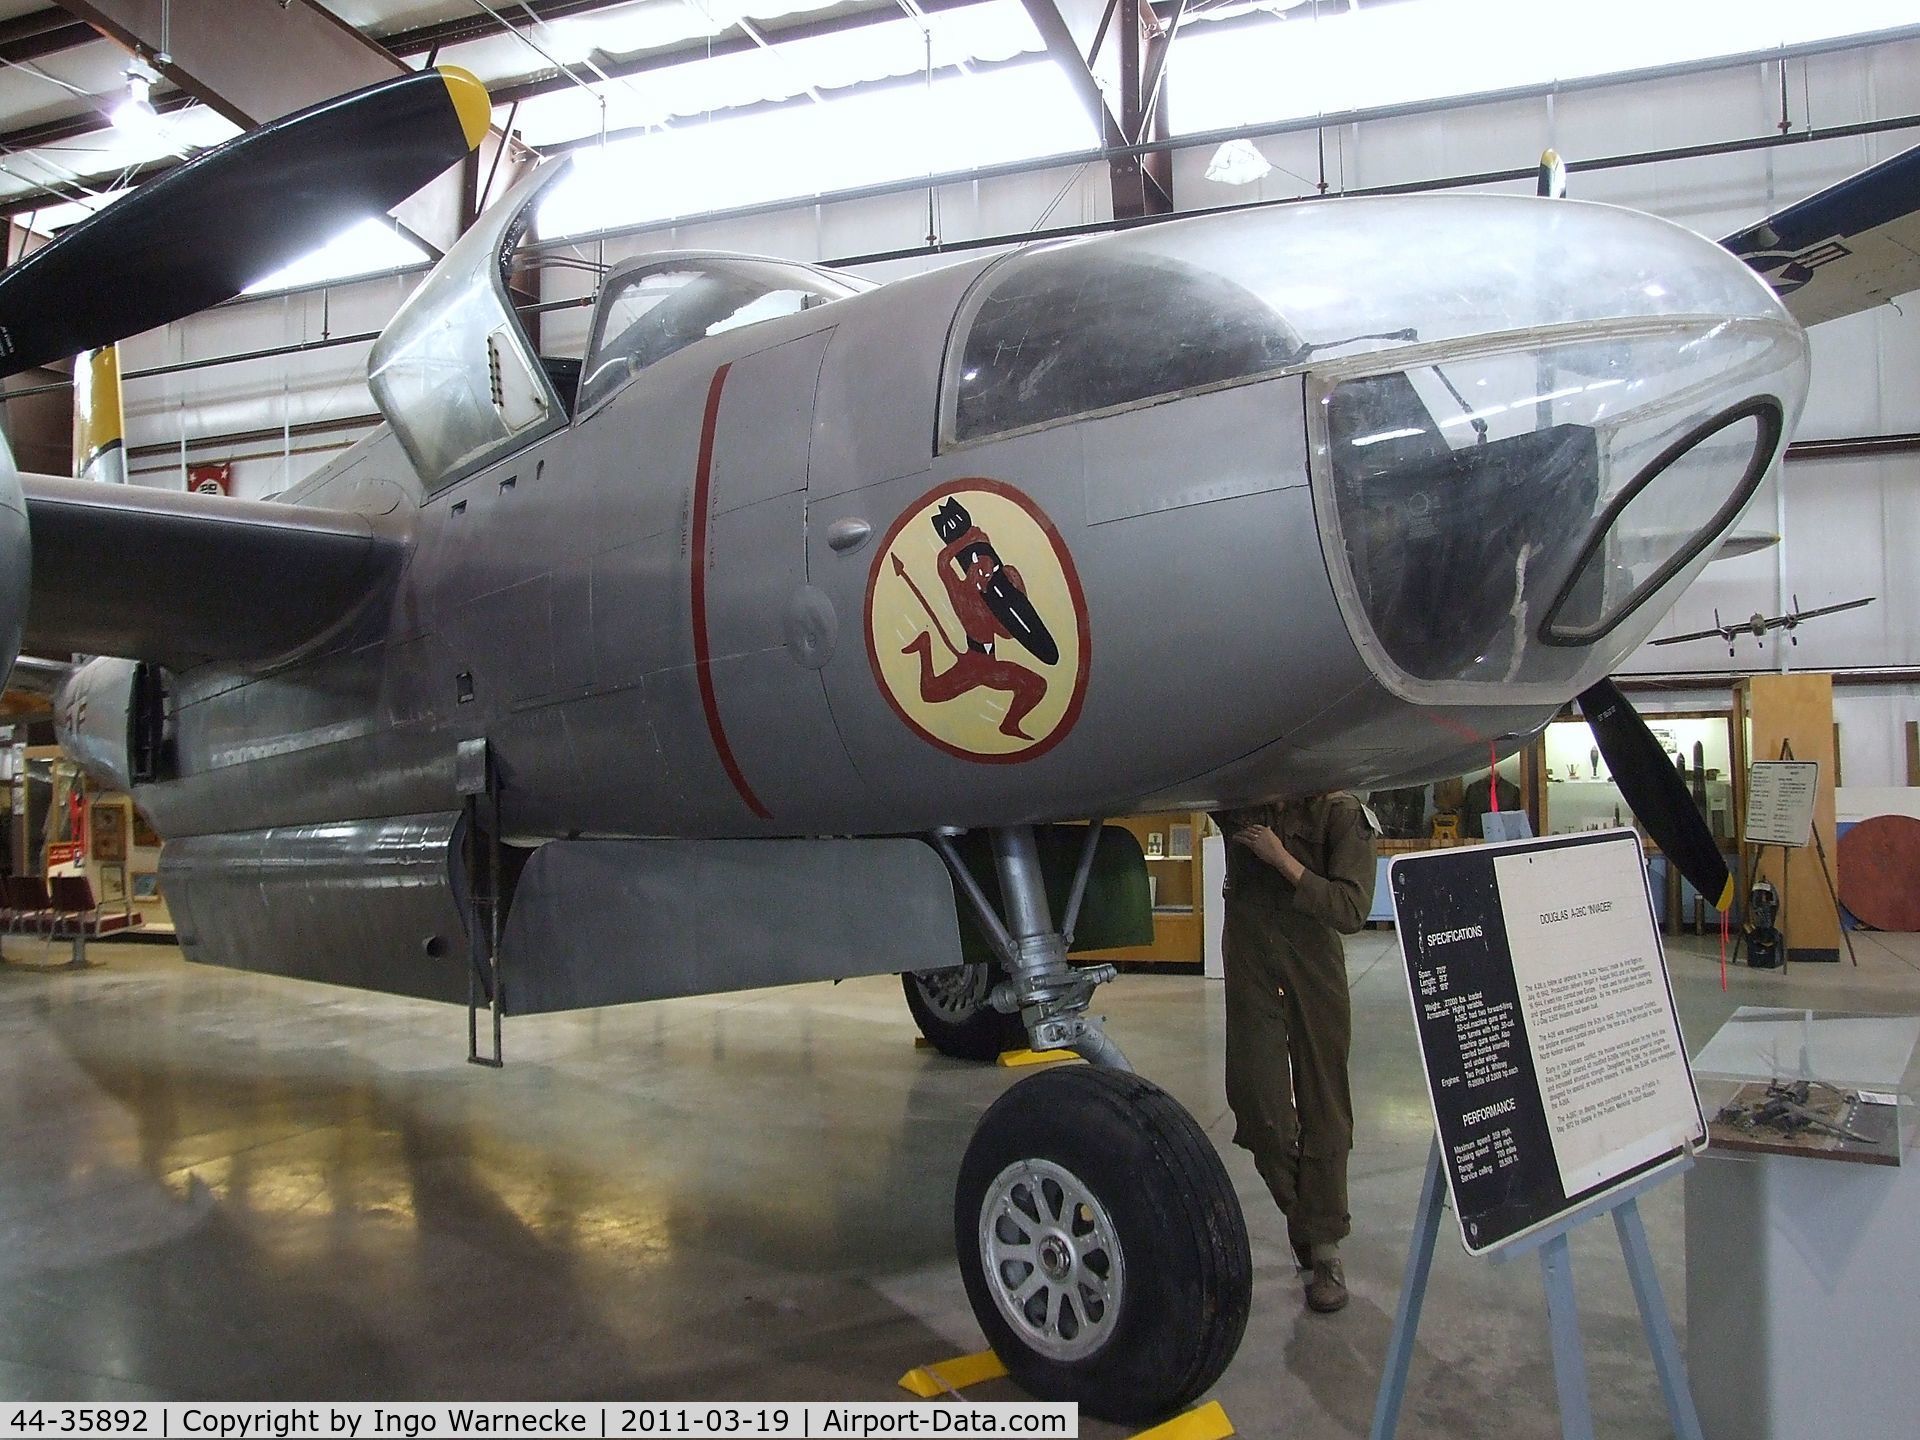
<point>1047,994</point>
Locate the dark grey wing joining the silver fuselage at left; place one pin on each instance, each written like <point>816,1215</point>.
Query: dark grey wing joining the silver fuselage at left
<point>181,579</point>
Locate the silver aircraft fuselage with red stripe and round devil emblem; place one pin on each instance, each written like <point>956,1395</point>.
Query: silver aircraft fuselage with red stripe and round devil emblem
<point>1203,514</point>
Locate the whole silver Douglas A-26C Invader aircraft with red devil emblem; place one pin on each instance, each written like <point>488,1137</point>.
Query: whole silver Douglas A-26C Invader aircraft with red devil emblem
<point>775,638</point>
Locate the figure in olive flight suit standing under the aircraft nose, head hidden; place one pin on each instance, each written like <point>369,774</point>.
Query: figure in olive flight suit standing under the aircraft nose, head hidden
<point>1299,876</point>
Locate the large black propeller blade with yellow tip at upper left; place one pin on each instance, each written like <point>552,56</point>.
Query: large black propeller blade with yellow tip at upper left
<point>233,216</point>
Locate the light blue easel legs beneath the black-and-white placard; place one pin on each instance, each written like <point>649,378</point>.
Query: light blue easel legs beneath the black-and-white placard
<point>1564,1320</point>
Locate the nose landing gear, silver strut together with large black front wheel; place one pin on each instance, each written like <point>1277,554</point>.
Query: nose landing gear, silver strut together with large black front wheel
<point>1099,1237</point>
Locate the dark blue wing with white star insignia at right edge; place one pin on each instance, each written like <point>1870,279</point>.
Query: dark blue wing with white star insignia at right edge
<point>1844,251</point>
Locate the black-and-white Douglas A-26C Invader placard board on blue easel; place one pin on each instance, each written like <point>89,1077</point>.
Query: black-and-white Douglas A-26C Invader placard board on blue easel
<point>1547,1022</point>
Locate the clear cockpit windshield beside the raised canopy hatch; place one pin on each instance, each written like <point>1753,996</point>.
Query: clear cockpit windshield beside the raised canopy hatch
<point>667,302</point>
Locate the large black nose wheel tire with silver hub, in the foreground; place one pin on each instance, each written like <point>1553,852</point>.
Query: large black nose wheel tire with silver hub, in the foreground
<point>1097,1180</point>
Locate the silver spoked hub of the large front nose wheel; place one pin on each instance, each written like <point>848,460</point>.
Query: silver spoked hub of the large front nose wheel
<point>1053,1259</point>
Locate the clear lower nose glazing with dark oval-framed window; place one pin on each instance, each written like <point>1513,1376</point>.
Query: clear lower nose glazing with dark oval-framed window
<point>1500,514</point>
